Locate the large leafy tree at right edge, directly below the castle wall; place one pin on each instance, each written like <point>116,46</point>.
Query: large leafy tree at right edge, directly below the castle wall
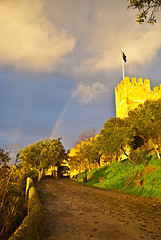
<point>146,120</point>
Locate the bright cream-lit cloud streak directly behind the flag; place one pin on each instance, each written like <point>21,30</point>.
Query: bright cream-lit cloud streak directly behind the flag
<point>140,49</point>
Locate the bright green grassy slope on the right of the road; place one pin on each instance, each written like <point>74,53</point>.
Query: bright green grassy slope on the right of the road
<point>139,179</point>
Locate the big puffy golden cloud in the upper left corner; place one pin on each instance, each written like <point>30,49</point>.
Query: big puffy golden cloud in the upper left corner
<point>28,39</point>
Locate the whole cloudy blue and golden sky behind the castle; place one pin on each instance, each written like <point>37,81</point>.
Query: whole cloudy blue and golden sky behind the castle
<point>60,62</point>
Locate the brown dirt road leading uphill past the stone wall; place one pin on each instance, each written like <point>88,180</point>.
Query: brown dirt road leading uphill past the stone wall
<point>74,211</point>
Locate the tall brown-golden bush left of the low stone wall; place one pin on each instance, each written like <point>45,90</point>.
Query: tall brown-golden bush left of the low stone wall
<point>13,206</point>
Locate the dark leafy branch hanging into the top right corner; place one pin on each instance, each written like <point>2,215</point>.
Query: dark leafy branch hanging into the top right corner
<point>147,9</point>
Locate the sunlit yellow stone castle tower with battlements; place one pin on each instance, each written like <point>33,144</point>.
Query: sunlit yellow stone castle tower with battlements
<point>132,92</point>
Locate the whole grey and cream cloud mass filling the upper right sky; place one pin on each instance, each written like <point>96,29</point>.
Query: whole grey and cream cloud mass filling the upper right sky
<point>102,29</point>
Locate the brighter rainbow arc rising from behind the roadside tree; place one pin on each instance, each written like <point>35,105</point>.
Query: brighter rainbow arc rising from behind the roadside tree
<point>56,125</point>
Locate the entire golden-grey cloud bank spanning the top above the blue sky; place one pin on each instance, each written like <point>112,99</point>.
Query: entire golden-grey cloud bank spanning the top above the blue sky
<point>39,35</point>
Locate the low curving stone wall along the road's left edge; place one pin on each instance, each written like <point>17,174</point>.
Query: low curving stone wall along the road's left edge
<point>33,225</point>
